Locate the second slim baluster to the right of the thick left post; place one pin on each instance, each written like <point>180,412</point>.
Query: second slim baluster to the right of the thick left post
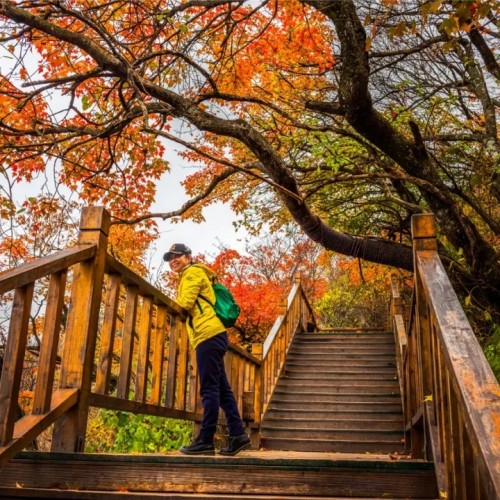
<point>127,351</point>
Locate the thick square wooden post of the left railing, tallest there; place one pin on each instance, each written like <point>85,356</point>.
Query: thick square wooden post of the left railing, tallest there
<point>81,330</point>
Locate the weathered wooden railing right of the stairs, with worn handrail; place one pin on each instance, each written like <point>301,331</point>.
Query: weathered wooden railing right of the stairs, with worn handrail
<point>451,397</point>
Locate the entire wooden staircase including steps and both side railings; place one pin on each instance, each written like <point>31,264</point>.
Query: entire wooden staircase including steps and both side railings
<point>326,405</point>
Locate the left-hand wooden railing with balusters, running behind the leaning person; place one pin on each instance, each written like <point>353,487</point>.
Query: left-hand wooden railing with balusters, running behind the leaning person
<point>113,310</point>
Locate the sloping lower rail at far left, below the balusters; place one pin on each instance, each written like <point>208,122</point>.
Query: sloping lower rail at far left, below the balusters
<point>30,426</point>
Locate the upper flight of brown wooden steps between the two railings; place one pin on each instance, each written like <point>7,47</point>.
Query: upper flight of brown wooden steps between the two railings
<point>339,392</point>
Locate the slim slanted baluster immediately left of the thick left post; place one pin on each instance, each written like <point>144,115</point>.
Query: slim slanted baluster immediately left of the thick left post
<point>50,338</point>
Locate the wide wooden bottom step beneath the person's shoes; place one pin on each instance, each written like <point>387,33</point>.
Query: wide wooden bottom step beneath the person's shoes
<point>251,474</point>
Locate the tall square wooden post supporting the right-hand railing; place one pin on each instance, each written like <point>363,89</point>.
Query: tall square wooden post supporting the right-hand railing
<point>423,228</point>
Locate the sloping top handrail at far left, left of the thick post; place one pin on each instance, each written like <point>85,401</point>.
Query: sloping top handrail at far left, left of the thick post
<point>26,273</point>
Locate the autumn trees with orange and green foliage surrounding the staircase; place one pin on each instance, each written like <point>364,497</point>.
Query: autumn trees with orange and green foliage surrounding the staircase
<point>323,124</point>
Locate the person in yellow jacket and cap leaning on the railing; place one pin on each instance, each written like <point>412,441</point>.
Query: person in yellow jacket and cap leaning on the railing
<point>208,336</point>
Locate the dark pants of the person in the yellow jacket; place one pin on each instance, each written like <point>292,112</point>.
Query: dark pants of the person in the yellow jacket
<point>215,390</point>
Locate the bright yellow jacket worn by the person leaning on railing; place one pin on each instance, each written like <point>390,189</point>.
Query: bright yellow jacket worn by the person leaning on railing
<point>203,323</point>
